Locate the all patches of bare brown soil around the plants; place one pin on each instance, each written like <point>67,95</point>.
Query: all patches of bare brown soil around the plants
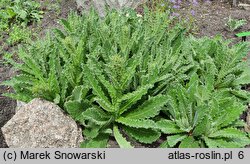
<point>210,19</point>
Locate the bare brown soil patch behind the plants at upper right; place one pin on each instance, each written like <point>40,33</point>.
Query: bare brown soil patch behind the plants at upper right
<point>212,17</point>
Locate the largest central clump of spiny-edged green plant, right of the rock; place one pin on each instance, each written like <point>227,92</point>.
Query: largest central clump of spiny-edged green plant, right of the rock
<point>128,73</point>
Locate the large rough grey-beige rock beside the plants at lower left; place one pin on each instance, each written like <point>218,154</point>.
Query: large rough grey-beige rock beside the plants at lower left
<point>41,124</point>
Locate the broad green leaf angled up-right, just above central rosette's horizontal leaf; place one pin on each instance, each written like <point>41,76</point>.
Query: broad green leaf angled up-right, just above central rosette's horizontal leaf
<point>148,109</point>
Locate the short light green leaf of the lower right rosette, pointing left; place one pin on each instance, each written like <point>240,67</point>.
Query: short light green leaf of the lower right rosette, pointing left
<point>168,127</point>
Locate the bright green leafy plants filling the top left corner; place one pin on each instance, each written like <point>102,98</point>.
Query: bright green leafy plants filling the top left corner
<point>15,18</point>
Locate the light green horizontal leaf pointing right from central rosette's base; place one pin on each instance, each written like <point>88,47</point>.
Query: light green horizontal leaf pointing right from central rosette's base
<point>137,123</point>
